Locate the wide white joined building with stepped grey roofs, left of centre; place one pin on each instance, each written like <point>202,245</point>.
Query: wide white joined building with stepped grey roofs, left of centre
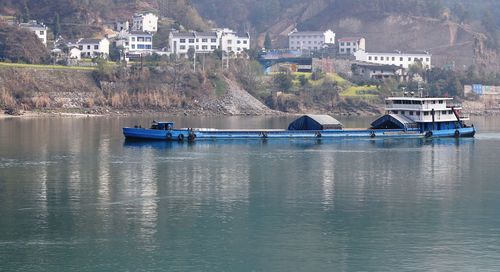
<point>206,42</point>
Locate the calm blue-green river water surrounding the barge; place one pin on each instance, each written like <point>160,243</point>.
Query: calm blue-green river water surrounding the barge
<point>75,196</point>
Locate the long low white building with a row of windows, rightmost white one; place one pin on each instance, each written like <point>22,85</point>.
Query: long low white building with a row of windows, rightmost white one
<point>397,58</point>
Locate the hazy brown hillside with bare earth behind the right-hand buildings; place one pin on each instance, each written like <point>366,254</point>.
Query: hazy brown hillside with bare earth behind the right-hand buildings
<point>454,31</point>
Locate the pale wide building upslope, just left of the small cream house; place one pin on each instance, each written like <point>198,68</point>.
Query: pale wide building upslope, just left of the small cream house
<point>310,40</point>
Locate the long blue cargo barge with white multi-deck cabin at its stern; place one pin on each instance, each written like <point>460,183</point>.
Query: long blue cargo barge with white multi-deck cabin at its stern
<point>406,117</point>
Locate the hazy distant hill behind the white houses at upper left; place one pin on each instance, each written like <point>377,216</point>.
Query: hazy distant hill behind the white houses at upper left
<point>87,17</point>
